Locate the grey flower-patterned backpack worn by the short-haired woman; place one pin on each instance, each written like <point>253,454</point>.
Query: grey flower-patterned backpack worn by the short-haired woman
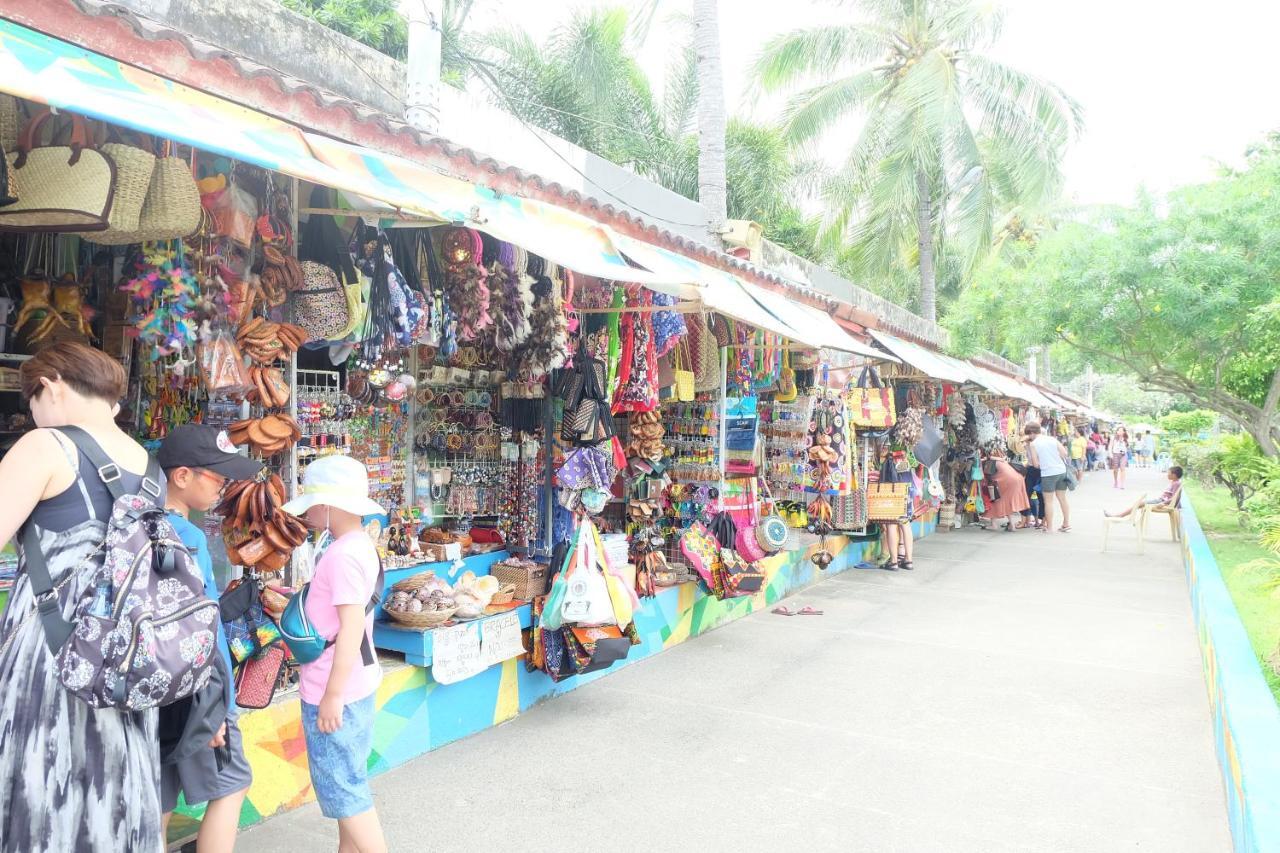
<point>144,632</point>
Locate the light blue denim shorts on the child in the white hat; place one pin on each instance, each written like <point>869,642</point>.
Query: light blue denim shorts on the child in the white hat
<point>340,761</point>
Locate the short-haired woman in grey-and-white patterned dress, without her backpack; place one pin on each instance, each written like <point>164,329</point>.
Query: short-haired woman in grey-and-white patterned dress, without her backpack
<point>72,778</point>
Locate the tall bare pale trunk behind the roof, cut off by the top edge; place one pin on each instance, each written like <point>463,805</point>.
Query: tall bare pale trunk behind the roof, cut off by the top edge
<point>712,191</point>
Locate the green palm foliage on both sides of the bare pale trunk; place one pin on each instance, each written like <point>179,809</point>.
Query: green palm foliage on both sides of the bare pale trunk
<point>586,86</point>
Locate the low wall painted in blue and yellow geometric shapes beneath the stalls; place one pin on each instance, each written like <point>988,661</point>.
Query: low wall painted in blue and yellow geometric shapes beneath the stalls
<point>417,715</point>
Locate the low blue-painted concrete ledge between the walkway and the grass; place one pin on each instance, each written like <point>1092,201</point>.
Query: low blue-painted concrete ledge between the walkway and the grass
<point>1246,719</point>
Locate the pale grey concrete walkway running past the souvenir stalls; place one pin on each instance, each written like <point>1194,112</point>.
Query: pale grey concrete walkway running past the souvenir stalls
<point>1017,692</point>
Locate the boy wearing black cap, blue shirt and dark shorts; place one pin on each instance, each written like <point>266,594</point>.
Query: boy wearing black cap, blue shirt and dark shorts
<point>199,463</point>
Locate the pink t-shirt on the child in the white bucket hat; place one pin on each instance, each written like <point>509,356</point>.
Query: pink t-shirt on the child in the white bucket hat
<point>345,576</point>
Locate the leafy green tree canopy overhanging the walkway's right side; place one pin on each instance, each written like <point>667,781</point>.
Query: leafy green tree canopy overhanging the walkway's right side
<point>1183,297</point>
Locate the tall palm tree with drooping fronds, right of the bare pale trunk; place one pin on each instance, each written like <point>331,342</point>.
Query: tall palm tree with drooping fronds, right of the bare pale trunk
<point>952,139</point>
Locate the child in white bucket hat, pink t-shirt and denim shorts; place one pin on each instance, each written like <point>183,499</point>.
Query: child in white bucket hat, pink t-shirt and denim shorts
<point>340,688</point>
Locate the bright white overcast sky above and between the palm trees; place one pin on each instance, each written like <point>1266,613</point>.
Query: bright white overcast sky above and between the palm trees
<point>1169,88</point>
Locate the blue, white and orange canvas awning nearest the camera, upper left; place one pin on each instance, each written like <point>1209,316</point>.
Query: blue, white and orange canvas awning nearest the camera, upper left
<point>51,71</point>
